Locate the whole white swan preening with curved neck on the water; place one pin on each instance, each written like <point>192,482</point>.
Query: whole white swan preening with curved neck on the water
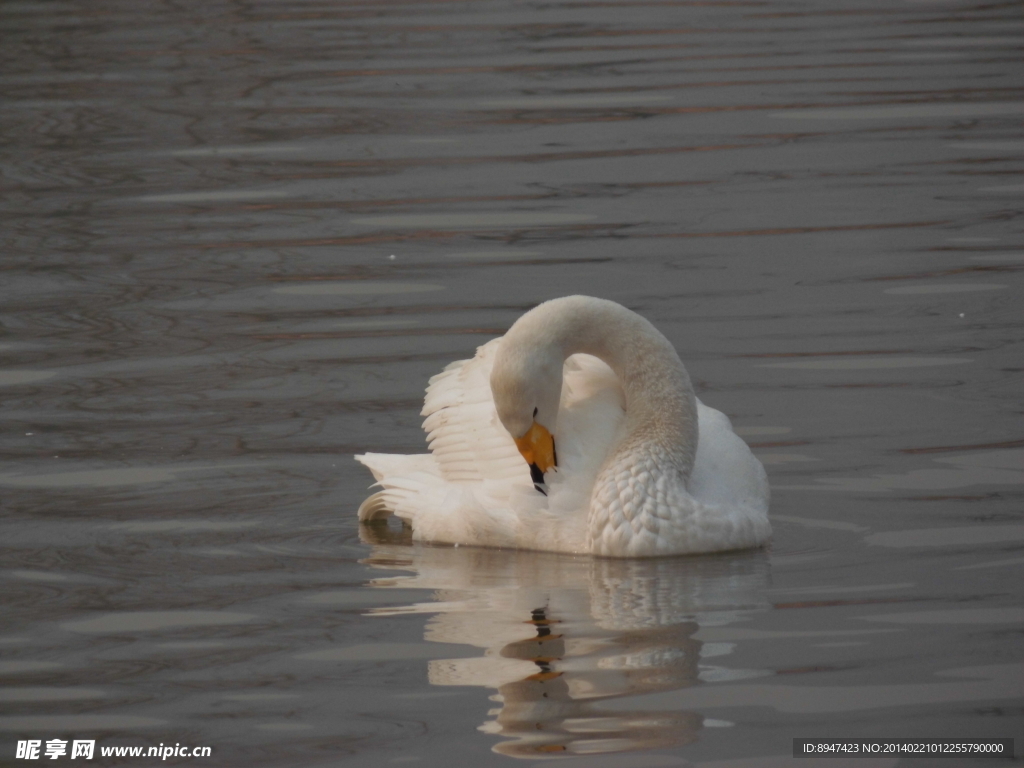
<point>577,432</point>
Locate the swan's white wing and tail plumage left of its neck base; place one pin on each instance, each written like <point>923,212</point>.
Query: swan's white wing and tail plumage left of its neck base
<point>475,487</point>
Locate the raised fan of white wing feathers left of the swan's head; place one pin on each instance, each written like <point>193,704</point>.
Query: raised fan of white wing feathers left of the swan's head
<point>463,432</point>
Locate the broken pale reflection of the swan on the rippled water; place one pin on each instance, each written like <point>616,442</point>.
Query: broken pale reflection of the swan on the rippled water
<point>563,634</point>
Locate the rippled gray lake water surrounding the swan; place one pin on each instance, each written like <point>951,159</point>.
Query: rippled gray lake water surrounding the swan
<point>240,237</point>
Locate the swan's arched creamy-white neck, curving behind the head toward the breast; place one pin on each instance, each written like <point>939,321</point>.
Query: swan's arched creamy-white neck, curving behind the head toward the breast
<point>661,408</point>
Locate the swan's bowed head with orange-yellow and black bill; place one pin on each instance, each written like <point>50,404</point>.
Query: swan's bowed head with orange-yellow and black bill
<point>527,386</point>
